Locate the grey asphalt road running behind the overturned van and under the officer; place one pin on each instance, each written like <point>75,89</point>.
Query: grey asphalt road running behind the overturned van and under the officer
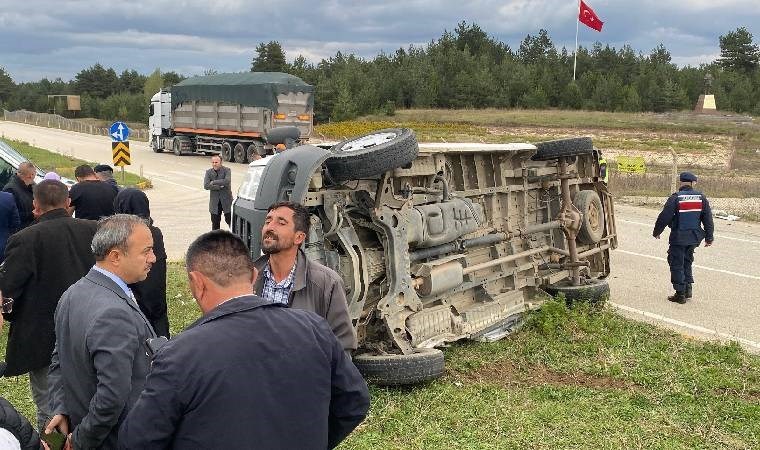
<point>726,303</point>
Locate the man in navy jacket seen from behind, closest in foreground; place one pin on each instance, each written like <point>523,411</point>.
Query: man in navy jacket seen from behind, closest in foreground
<point>249,373</point>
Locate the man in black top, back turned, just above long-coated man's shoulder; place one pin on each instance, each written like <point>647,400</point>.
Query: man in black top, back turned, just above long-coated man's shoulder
<point>90,197</point>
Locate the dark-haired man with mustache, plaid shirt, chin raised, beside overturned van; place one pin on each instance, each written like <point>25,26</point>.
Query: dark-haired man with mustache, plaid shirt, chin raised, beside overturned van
<point>288,277</point>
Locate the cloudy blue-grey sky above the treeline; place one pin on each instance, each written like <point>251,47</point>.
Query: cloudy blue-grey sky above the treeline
<point>57,39</point>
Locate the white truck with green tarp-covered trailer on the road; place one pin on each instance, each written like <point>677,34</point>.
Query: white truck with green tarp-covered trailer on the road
<point>230,114</point>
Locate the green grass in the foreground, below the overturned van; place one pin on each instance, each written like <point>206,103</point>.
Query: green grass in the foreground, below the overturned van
<point>571,378</point>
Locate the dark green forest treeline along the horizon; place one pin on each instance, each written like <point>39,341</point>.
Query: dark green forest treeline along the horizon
<point>465,68</point>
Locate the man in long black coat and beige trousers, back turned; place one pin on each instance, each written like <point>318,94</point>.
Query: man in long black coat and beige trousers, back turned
<point>42,261</point>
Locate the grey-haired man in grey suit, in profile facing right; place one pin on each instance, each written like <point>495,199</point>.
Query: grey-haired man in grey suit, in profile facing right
<point>100,360</point>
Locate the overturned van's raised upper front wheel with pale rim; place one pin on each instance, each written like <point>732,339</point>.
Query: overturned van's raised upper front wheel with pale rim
<point>372,154</point>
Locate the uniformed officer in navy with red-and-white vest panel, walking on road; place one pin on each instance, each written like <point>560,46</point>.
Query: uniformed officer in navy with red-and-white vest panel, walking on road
<point>685,212</point>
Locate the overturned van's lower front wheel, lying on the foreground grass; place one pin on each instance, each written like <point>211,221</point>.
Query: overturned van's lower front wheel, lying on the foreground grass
<point>423,365</point>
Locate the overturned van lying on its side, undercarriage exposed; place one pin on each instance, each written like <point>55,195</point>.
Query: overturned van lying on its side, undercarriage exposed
<point>443,241</point>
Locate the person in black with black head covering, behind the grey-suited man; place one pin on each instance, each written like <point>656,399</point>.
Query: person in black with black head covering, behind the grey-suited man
<point>150,293</point>
